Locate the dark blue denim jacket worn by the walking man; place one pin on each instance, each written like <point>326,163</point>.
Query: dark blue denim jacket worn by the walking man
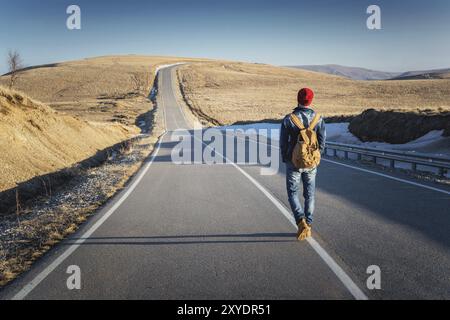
<point>289,131</point>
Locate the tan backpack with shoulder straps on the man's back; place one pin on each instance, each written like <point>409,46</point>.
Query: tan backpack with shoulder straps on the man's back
<point>306,154</point>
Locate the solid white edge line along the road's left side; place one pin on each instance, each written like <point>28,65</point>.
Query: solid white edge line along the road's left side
<point>50,268</point>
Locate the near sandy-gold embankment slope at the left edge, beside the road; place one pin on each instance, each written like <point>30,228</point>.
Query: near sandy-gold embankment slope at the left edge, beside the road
<point>36,140</point>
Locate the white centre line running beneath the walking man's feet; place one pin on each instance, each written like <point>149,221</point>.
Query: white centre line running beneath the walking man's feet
<point>356,292</point>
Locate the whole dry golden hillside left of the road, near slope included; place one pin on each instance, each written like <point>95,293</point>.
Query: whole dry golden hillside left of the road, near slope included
<point>87,105</point>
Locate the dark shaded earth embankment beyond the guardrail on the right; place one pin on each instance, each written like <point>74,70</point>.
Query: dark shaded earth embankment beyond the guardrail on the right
<point>398,126</point>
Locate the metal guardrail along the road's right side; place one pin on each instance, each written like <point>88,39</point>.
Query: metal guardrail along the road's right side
<point>441,163</point>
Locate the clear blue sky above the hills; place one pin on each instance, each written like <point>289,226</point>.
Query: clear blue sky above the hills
<point>414,35</point>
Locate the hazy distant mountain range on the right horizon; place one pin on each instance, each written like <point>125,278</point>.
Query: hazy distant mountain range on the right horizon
<point>367,74</point>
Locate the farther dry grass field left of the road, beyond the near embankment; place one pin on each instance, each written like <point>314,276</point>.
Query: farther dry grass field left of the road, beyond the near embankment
<point>105,89</point>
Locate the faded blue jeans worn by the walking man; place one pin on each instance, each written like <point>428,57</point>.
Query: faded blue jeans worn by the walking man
<point>308,179</point>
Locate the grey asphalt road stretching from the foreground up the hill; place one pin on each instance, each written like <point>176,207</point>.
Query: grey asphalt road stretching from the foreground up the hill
<point>199,231</point>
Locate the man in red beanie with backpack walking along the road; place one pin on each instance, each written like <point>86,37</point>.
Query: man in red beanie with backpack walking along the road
<point>302,141</point>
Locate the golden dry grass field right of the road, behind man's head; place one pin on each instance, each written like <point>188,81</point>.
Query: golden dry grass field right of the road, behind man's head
<point>227,92</point>
